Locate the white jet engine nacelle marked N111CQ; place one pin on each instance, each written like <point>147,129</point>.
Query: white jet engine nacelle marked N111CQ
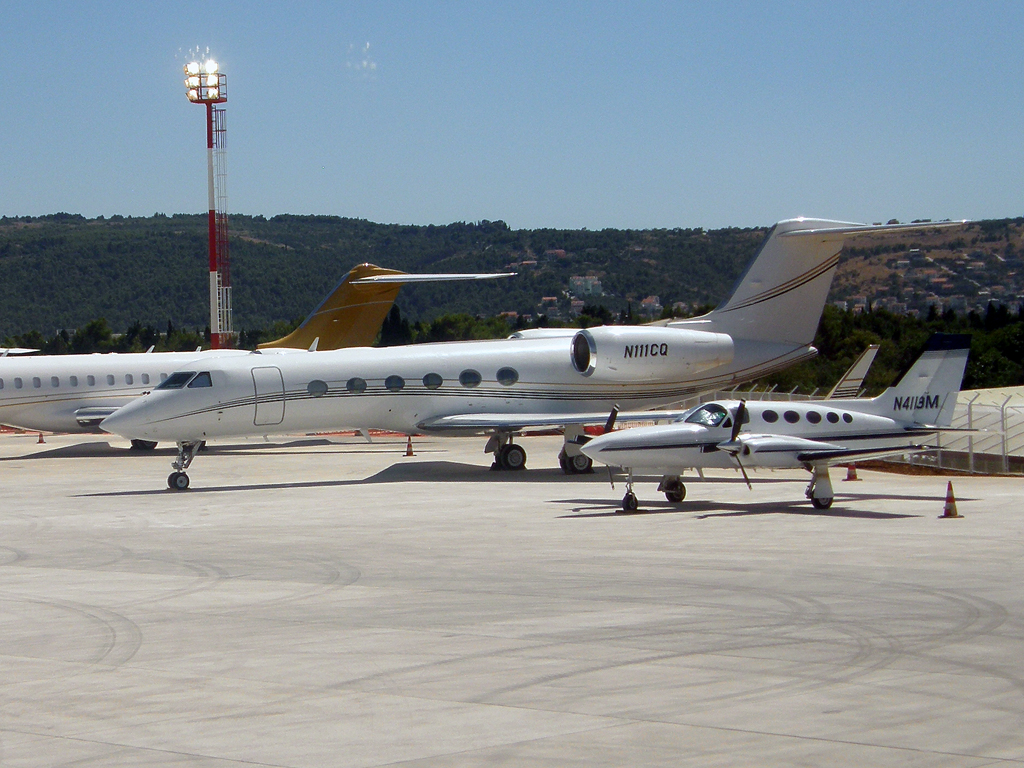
<point>648,353</point>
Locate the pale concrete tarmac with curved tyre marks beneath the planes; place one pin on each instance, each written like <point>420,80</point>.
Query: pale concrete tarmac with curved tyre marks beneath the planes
<point>328,603</point>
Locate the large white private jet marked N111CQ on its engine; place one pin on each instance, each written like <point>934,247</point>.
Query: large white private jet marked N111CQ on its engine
<point>547,378</point>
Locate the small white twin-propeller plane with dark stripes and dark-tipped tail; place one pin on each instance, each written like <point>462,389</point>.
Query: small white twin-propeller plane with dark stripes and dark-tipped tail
<point>813,435</point>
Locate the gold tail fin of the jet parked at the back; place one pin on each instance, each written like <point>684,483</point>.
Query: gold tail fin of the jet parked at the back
<point>351,317</point>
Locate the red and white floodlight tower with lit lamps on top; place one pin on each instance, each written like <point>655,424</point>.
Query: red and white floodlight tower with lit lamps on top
<point>205,84</point>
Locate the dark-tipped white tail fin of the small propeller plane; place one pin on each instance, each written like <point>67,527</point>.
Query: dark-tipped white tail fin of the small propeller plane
<point>926,394</point>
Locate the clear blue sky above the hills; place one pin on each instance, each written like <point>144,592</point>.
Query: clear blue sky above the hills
<point>541,114</point>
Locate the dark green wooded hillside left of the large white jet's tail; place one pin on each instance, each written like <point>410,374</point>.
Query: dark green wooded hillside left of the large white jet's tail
<point>62,272</point>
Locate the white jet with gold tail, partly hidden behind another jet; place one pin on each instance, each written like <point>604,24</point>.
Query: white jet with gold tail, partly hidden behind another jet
<point>75,393</point>
